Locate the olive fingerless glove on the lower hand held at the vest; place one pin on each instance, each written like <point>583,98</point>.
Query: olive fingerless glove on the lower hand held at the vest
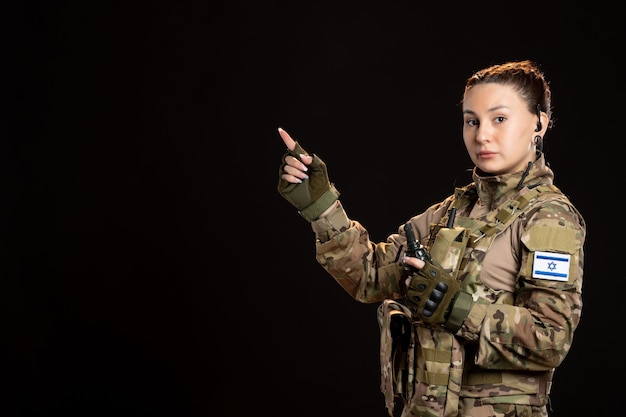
<point>435,297</point>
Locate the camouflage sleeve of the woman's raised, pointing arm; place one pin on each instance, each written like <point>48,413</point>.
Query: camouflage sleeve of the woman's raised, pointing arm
<point>370,272</point>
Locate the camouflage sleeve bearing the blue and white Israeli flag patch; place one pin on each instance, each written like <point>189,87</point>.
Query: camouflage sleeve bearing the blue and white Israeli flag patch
<point>535,328</point>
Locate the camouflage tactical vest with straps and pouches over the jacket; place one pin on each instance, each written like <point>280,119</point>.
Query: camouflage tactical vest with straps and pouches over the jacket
<point>423,365</point>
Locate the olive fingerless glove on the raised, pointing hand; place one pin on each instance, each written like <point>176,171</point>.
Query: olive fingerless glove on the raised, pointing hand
<point>315,194</point>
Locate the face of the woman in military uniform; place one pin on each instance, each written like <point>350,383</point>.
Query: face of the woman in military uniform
<point>498,129</point>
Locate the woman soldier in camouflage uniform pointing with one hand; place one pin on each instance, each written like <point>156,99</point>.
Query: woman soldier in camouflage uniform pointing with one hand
<point>480,309</point>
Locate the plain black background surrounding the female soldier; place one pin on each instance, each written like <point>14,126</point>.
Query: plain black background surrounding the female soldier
<point>150,268</point>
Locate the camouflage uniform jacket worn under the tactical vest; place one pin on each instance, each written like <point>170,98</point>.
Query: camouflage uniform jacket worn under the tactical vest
<point>519,324</point>
